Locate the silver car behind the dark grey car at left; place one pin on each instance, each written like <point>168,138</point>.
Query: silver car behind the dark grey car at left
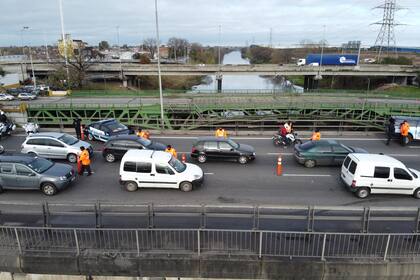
<point>54,145</point>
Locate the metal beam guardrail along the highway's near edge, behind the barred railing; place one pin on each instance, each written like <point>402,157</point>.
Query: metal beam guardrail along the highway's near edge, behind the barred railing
<point>287,217</point>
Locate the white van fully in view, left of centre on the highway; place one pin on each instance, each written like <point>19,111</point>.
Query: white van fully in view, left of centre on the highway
<point>157,169</point>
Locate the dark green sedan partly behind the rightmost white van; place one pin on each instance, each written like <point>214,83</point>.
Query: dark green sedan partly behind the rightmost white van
<point>323,152</point>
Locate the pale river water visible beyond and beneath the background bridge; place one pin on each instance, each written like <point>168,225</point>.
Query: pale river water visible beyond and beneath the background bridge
<point>243,82</point>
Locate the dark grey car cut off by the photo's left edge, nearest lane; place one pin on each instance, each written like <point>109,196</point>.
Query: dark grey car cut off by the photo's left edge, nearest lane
<point>24,172</point>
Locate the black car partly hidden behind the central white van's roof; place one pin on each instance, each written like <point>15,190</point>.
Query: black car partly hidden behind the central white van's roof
<point>117,146</point>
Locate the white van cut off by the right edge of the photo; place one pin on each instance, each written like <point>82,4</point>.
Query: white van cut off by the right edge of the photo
<point>366,174</point>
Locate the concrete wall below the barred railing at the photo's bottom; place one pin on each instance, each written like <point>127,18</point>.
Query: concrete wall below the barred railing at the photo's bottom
<point>208,267</point>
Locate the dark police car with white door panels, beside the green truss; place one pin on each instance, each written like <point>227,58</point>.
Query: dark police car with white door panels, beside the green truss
<point>103,130</point>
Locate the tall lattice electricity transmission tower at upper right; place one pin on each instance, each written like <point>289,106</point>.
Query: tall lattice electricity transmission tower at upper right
<point>386,36</point>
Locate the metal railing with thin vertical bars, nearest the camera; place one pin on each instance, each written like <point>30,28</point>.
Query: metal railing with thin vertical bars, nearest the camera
<point>198,242</point>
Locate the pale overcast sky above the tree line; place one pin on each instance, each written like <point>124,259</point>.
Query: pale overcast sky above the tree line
<point>242,21</point>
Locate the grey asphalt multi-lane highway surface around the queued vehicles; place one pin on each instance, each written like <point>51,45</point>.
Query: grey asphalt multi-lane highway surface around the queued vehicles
<point>230,182</point>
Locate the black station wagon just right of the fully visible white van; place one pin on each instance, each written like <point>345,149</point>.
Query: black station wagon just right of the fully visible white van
<point>221,148</point>
